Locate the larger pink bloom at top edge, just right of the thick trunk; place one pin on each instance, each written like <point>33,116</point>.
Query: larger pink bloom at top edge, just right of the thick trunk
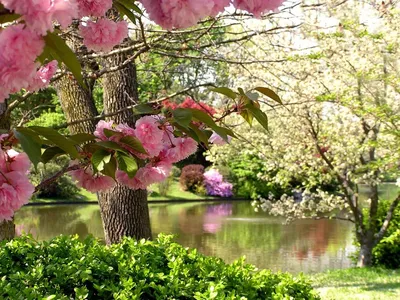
<point>178,13</point>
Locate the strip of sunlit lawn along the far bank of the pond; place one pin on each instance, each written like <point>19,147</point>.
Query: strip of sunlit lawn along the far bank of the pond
<point>175,193</point>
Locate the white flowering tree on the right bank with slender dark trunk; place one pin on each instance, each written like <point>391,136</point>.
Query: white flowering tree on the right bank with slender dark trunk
<point>339,121</point>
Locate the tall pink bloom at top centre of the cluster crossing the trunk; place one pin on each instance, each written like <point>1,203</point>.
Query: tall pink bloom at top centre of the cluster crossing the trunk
<point>148,133</point>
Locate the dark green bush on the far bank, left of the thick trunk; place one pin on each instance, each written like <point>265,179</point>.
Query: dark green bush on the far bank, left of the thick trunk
<point>63,187</point>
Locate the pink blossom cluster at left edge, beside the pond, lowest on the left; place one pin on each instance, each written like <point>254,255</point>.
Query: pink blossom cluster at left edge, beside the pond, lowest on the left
<point>15,187</point>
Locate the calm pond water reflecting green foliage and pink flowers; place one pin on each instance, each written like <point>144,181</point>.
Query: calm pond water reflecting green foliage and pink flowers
<point>225,229</point>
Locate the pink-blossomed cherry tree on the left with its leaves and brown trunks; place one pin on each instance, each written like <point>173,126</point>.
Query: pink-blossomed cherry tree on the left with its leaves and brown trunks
<point>82,37</point>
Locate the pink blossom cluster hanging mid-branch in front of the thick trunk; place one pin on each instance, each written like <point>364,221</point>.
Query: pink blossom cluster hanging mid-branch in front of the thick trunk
<point>161,146</point>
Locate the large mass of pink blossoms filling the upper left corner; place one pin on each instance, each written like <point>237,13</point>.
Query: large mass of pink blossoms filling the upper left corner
<point>22,43</point>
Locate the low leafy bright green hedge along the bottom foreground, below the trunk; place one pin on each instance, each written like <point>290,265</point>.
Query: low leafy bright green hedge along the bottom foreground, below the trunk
<point>66,268</point>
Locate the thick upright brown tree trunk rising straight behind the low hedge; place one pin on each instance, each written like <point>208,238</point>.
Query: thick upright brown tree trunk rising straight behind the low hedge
<point>124,211</point>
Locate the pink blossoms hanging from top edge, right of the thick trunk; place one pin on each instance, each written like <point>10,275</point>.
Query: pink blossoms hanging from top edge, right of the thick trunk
<point>186,13</point>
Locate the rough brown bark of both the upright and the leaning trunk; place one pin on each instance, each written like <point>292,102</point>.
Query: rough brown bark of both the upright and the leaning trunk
<point>124,212</point>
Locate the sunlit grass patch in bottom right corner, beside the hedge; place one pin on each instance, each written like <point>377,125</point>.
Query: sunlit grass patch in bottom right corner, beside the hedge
<point>366,284</point>
